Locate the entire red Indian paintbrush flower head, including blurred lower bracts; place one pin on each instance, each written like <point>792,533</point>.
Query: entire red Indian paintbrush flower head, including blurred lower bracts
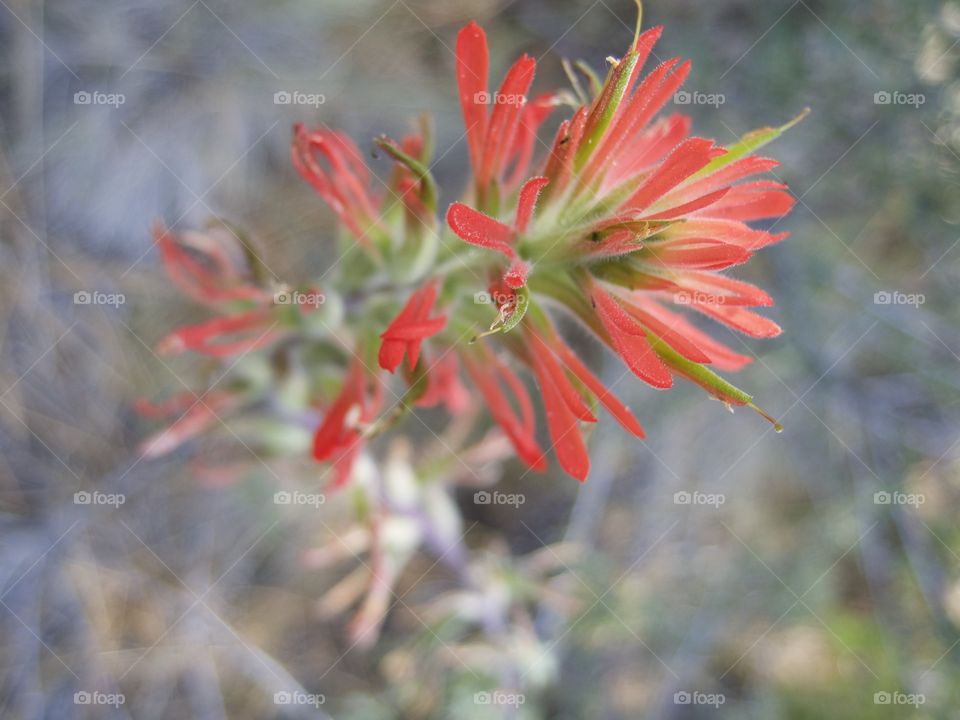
<point>625,225</point>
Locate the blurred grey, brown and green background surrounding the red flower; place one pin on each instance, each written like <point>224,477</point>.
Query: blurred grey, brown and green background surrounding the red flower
<point>717,569</point>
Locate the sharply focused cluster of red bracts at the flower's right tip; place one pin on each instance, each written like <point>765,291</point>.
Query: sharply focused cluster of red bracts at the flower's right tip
<point>633,215</point>
